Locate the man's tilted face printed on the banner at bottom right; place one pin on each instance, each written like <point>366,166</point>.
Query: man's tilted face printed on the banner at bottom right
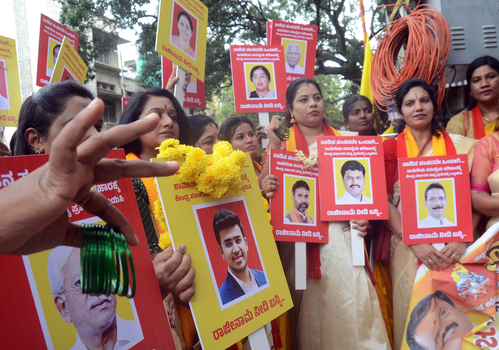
<point>436,319</point>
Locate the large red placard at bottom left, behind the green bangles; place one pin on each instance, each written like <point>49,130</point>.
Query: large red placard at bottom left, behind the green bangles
<point>37,322</point>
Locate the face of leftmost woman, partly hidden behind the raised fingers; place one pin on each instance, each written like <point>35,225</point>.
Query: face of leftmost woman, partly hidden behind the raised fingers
<point>74,106</point>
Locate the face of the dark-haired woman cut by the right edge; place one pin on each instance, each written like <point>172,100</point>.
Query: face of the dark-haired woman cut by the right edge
<point>484,84</point>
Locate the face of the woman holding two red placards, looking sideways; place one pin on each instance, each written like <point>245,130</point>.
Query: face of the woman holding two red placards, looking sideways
<point>308,106</point>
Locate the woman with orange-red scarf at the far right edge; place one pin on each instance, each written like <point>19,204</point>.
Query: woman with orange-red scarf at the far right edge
<point>481,117</point>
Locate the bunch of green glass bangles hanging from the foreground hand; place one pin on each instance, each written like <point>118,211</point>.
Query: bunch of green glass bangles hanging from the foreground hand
<point>105,259</point>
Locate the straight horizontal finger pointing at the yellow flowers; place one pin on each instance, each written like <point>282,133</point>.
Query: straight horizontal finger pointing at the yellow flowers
<point>113,169</point>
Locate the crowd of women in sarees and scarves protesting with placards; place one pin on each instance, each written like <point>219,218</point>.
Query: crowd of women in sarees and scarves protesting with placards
<point>341,308</point>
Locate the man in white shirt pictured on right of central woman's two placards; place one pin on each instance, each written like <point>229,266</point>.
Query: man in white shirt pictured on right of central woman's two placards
<point>354,179</point>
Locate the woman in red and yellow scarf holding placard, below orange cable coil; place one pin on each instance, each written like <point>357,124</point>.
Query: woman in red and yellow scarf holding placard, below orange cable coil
<point>420,136</point>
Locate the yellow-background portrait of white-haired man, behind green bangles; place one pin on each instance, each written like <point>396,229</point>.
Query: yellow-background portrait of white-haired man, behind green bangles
<point>75,320</point>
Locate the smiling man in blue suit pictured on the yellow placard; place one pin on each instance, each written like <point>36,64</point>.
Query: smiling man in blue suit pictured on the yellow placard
<point>240,279</point>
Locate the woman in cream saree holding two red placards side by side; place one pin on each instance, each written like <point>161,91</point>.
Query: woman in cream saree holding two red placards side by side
<point>340,308</point>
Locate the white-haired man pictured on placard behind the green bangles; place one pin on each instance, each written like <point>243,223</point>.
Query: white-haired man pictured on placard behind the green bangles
<point>94,316</point>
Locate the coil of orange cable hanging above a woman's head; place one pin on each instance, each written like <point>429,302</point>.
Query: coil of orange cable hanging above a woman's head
<point>424,34</point>
